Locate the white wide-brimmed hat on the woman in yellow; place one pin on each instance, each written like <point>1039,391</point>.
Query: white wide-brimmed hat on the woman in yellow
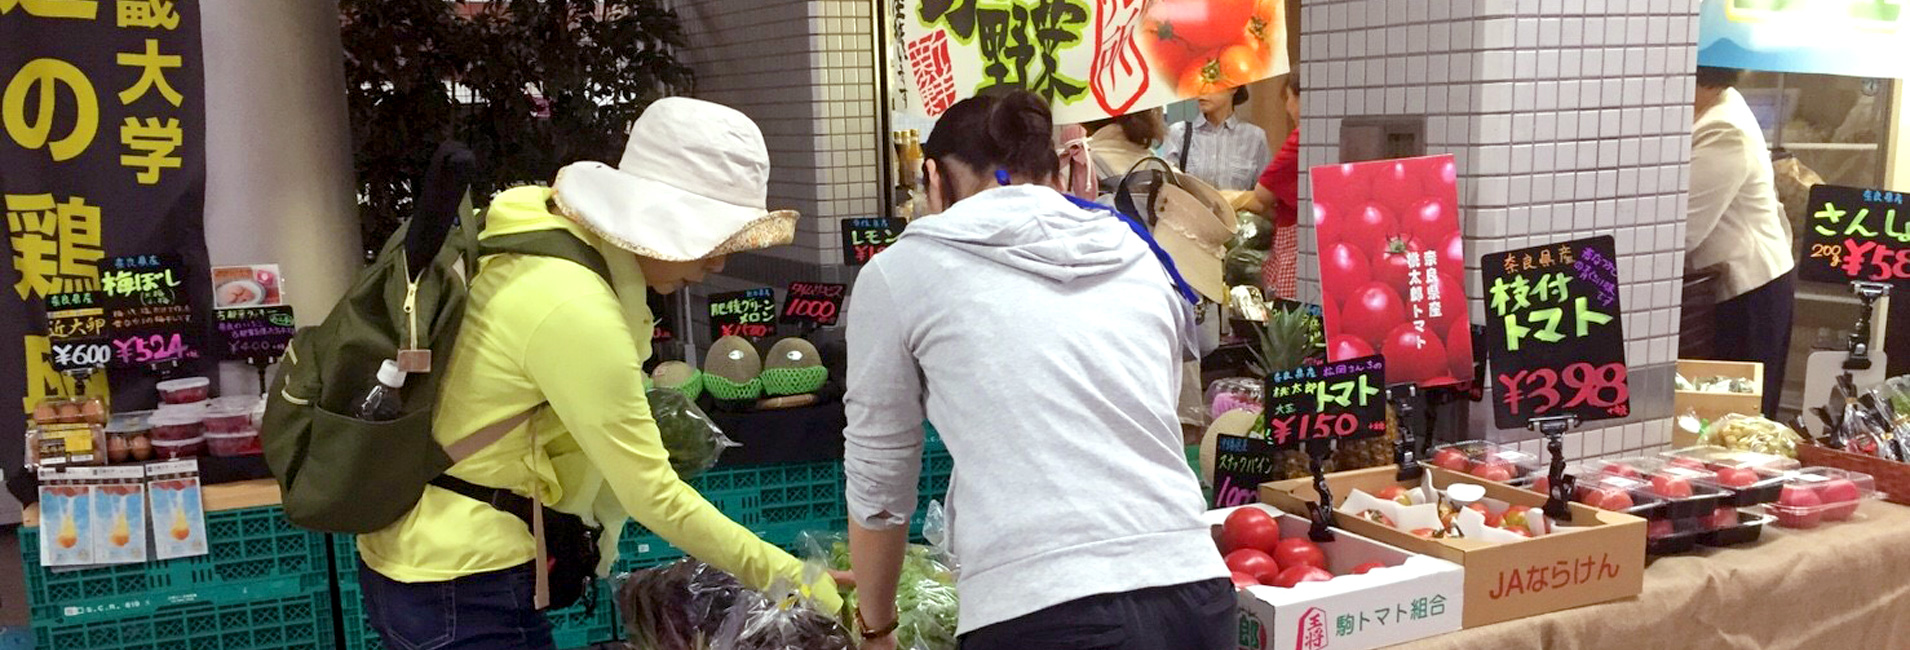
<point>692,184</point>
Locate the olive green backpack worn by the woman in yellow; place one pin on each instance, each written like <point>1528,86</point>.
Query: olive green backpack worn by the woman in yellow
<point>343,475</point>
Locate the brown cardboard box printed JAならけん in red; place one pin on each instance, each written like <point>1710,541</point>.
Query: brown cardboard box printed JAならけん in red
<point>1592,559</point>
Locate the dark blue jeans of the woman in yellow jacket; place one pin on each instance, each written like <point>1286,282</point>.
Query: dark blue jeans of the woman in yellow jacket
<point>475,613</point>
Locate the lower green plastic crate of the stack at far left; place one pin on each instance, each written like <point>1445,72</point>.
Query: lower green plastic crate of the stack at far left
<point>299,622</point>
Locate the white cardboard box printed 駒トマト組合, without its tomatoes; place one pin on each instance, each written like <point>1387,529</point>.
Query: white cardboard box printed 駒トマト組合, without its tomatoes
<point>1412,597</point>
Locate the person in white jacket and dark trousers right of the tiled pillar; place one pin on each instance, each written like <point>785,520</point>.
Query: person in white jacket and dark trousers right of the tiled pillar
<point>1735,230</point>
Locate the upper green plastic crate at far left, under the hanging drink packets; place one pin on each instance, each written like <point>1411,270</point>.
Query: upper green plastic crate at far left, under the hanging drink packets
<point>255,555</point>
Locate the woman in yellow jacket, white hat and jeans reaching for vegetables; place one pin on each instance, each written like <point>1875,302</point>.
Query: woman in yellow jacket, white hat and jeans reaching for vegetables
<point>559,341</point>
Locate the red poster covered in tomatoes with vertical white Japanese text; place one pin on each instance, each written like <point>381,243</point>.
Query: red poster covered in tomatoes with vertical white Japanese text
<point>1393,267</point>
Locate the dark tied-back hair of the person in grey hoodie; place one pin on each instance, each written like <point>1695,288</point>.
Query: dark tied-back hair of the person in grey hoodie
<point>1004,129</point>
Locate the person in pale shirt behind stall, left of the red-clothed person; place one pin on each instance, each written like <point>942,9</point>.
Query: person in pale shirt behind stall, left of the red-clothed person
<point>1220,148</point>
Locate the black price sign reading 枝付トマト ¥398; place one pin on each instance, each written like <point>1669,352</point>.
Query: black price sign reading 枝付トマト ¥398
<point>1556,337</point>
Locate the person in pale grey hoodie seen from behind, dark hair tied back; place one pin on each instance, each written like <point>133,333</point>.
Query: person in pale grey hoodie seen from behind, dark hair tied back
<point>1050,364</point>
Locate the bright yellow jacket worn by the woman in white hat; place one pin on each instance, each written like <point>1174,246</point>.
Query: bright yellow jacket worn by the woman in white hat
<point>551,332</point>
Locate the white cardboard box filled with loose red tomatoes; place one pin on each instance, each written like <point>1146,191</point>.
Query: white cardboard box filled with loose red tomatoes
<point>1351,594</point>
